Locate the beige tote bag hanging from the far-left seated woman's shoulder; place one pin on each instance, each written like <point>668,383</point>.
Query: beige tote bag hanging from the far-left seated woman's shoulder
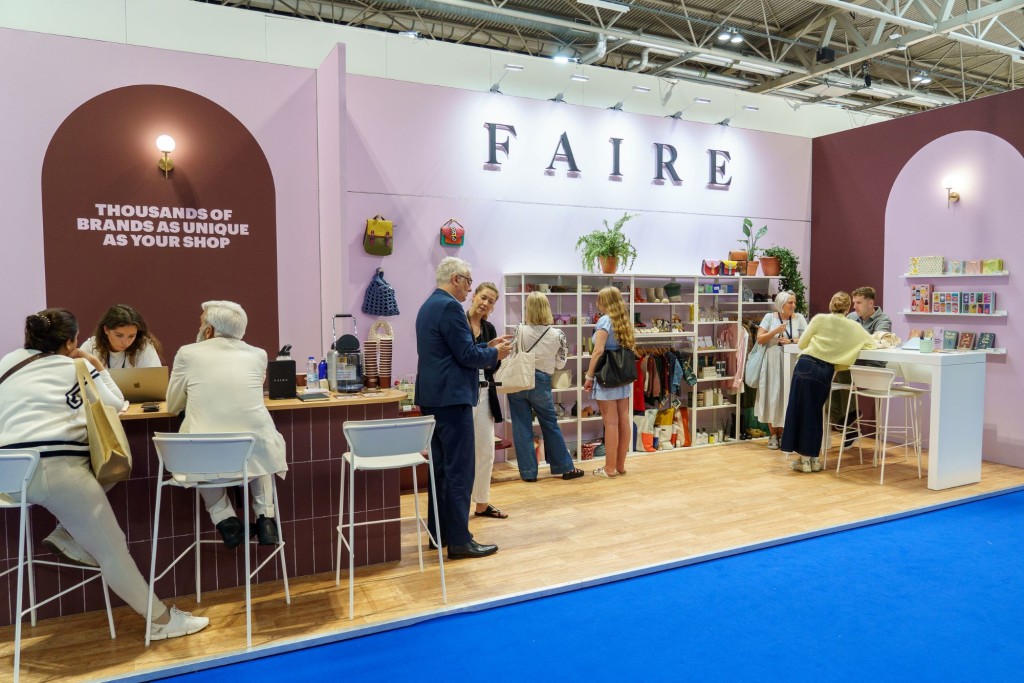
<point>109,450</point>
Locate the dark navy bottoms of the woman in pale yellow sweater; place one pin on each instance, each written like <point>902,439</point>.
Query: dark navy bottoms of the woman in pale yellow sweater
<point>808,394</point>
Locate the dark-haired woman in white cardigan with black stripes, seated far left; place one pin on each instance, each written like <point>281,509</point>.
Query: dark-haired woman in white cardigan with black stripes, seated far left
<point>41,409</point>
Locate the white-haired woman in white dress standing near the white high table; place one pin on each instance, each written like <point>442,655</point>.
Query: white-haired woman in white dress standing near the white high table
<point>779,329</point>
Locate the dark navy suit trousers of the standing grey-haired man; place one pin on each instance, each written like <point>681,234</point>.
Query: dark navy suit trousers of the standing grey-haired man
<point>454,452</point>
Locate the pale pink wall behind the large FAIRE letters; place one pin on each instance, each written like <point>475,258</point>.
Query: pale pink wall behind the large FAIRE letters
<point>417,155</point>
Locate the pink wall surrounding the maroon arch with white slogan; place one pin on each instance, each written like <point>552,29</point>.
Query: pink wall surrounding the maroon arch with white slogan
<point>45,78</point>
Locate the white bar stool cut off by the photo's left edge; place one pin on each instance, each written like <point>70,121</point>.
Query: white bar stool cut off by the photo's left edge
<point>17,468</point>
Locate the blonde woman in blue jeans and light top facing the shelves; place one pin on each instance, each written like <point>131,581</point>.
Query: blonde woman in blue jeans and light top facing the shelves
<point>550,353</point>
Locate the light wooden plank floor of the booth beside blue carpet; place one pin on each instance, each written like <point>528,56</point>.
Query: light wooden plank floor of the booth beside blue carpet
<point>672,505</point>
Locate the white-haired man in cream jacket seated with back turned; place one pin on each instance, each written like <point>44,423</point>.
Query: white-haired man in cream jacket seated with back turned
<point>220,379</point>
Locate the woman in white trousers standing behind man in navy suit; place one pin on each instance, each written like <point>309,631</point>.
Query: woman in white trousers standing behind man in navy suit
<point>488,411</point>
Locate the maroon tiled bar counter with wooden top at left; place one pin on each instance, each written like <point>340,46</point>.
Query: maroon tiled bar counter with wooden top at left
<point>309,511</point>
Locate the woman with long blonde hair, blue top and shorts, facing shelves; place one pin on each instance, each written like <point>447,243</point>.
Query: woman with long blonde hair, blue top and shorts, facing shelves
<point>614,331</point>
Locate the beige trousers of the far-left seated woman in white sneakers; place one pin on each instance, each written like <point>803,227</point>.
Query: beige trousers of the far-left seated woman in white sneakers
<point>66,487</point>
